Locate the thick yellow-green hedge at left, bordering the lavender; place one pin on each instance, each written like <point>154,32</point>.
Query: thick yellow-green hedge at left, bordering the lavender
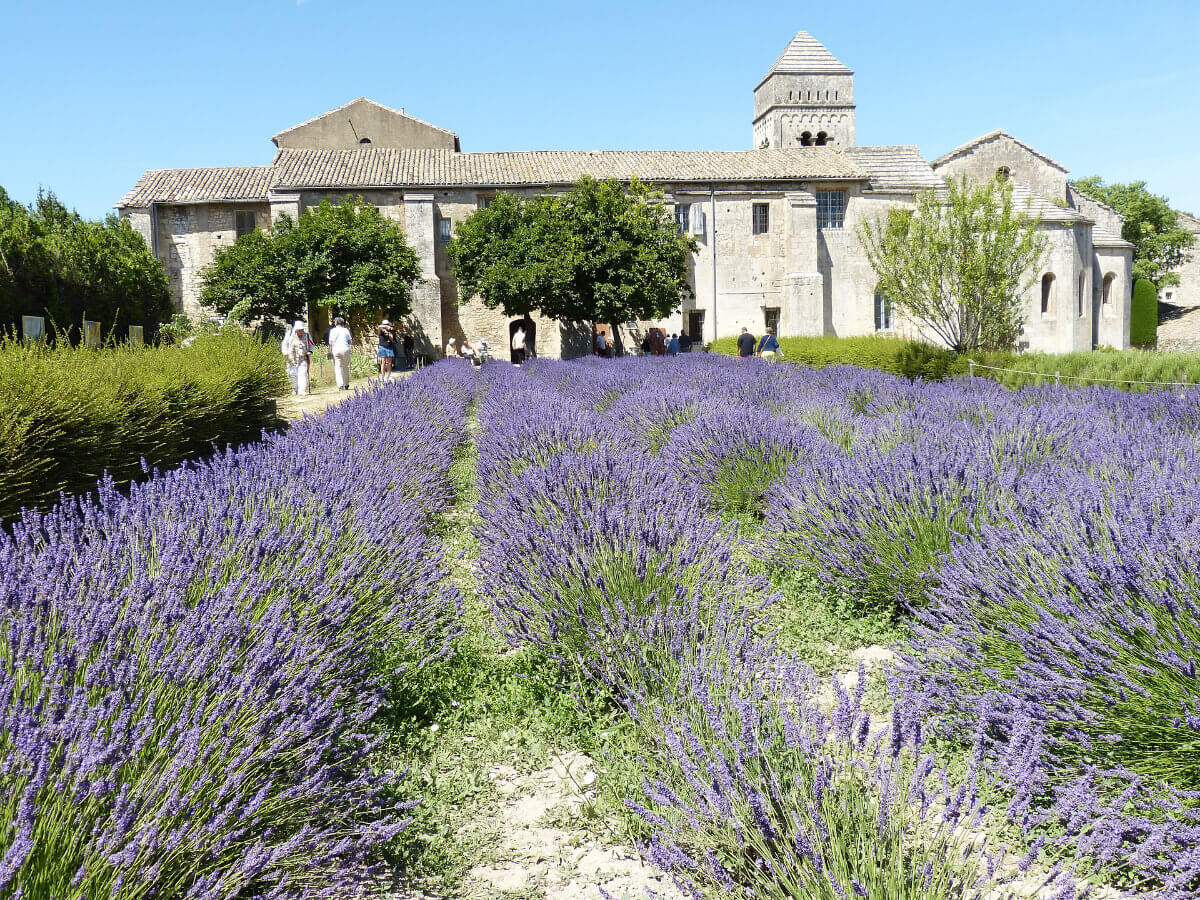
<point>68,416</point>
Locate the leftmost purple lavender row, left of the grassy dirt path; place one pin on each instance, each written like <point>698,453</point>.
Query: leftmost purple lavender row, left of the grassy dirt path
<point>189,673</point>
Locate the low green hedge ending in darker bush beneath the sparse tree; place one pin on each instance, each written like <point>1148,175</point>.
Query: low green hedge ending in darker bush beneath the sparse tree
<point>891,355</point>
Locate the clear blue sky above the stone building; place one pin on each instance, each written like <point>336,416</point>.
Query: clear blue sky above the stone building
<point>98,92</point>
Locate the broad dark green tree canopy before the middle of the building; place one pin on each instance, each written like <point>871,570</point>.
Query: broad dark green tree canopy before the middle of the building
<point>599,253</point>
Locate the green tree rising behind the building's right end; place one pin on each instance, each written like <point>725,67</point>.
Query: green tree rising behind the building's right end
<point>1150,225</point>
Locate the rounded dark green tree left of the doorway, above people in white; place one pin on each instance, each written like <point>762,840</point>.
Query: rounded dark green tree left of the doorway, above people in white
<point>346,257</point>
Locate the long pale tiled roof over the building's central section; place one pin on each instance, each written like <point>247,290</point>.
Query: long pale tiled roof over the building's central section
<point>381,167</point>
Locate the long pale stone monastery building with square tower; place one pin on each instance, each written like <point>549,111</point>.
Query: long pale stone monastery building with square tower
<point>776,225</point>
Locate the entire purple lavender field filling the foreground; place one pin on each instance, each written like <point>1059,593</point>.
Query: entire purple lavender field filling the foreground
<point>283,673</point>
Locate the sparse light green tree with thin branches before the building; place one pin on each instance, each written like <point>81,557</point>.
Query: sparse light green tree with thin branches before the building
<point>958,266</point>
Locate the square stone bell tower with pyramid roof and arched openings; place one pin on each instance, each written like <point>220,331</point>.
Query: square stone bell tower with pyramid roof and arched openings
<point>806,100</point>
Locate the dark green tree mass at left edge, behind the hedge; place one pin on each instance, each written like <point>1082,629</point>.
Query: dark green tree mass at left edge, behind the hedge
<point>56,265</point>
